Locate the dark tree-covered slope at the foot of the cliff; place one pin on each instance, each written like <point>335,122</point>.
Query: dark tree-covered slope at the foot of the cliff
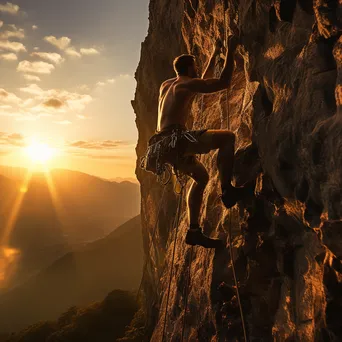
<point>101,322</point>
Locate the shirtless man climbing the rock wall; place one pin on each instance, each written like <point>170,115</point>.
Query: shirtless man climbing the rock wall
<point>175,100</point>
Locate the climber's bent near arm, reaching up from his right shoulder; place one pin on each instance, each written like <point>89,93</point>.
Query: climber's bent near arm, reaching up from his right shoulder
<point>213,85</point>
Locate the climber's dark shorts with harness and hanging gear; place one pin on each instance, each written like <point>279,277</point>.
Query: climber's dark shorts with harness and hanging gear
<point>169,147</point>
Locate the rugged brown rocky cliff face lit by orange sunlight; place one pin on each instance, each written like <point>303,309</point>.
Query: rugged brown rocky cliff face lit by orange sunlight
<point>285,108</point>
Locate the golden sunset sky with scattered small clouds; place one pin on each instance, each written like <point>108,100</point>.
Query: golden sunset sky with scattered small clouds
<point>67,79</point>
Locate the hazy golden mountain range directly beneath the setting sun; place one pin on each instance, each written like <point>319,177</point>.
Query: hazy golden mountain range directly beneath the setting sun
<point>57,214</point>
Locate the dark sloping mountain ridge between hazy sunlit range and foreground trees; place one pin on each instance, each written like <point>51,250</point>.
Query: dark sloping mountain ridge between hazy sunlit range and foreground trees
<point>78,278</point>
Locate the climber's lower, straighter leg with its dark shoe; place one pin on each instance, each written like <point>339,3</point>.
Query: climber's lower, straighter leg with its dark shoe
<point>195,169</point>
